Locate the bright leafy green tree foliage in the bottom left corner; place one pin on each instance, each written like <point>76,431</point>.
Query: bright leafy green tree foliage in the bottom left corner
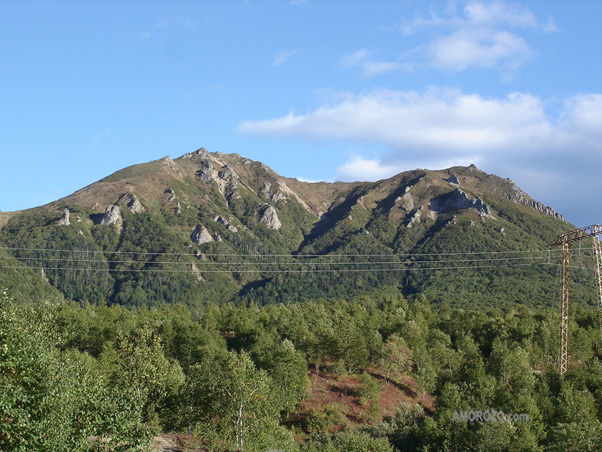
<point>53,401</point>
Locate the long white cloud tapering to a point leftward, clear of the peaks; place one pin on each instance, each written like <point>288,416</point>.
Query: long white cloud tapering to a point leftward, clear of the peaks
<point>436,120</point>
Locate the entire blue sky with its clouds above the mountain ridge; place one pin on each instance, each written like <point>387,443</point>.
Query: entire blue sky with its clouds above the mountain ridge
<point>318,90</point>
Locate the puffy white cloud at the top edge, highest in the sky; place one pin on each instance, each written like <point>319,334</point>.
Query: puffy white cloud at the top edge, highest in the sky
<point>481,35</point>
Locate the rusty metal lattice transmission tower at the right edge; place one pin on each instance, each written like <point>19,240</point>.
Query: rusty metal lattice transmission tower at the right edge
<point>564,240</point>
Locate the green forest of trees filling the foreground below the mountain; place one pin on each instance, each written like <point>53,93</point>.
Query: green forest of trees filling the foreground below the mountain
<point>313,376</point>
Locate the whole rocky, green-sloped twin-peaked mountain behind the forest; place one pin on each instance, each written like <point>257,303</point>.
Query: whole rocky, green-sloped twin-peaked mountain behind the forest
<point>214,227</point>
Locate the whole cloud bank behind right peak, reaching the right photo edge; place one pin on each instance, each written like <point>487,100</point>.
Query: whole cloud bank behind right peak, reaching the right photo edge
<point>515,136</point>
